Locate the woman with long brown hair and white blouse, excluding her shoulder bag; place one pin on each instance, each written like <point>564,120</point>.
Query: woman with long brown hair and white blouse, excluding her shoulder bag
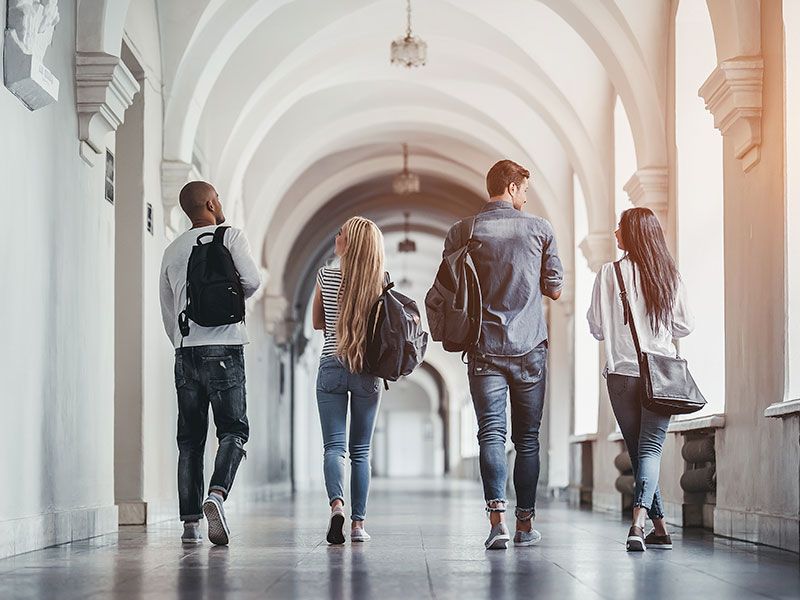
<point>659,309</point>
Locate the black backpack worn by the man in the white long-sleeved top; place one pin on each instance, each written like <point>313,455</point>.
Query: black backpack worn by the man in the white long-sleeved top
<point>214,294</point>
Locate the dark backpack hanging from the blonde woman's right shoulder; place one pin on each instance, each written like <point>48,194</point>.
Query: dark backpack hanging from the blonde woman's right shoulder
<point>396,341</point>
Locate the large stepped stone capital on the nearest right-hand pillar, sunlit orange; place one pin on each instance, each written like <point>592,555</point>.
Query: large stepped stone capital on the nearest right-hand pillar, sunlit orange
<point>733,94</point>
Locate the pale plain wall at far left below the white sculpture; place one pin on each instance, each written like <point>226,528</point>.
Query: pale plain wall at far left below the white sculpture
<point>58,360</point>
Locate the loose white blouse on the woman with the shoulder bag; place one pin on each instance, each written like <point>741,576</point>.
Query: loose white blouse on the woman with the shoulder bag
<point>606,321</point>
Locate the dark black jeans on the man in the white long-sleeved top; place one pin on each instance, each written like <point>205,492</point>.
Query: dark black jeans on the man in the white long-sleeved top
<point>209,375</point>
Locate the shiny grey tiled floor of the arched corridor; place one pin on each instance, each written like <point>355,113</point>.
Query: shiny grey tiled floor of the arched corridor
<point>427,543</point>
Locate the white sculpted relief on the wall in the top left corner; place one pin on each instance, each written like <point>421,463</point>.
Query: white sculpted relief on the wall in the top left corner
<point>29,32</point>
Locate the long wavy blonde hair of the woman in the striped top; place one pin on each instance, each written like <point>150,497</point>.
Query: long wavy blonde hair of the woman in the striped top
<point>362,283</point>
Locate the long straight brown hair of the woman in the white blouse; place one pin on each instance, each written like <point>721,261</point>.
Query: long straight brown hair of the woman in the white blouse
<point>647,249</point>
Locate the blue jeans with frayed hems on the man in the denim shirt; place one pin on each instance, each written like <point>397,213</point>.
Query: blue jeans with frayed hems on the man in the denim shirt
<point>491,379</point>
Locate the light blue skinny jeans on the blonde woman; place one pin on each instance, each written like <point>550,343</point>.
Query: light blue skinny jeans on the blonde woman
<point>334,382</point>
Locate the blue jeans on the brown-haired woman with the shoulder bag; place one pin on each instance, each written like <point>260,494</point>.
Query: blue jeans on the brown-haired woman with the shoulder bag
<point>644,432</point>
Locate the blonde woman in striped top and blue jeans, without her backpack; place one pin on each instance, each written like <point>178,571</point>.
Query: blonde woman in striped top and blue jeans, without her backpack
<point>341,307</point>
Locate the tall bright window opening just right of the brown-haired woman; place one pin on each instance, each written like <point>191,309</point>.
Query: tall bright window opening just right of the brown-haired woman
<point>700,203</point>
